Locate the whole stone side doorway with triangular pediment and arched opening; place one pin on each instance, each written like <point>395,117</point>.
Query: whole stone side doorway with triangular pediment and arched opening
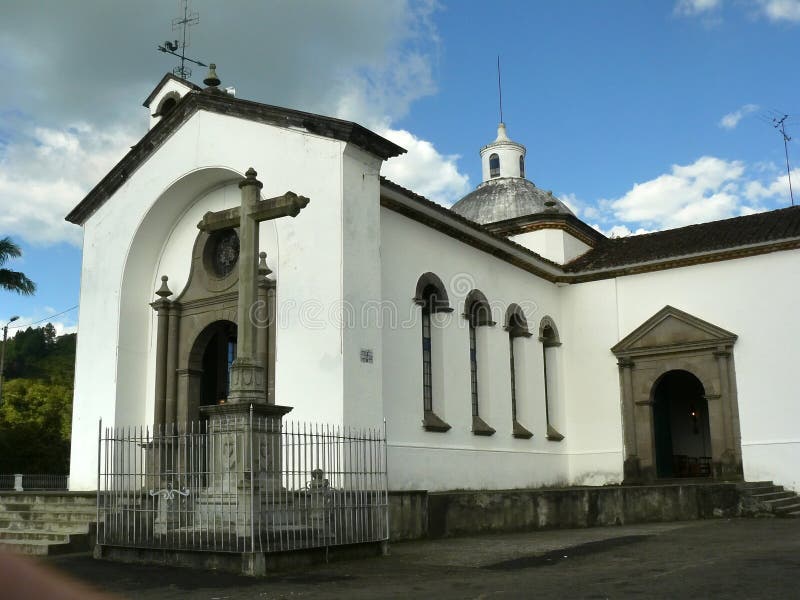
<point>677,375</point>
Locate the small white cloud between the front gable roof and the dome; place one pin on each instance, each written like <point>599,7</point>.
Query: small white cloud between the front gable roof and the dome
<point>424,170</point>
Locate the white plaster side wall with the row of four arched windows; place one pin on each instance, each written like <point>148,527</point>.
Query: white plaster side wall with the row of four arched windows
<point>419,459</point>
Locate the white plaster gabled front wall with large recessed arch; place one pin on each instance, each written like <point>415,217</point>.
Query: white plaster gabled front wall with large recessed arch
<point>130,233</point>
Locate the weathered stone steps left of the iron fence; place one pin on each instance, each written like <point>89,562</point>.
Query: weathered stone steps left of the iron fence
<point>47,523</point>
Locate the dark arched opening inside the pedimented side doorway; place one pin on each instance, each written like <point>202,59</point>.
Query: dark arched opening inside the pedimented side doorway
<point>680,426</point>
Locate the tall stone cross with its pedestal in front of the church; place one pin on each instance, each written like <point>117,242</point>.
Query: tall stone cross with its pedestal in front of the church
<point>244,435</point>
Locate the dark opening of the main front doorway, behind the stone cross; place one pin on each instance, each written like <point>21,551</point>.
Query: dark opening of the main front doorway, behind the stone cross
<point>211,358</point>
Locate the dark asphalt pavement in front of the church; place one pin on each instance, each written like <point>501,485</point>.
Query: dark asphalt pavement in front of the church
<point>755,558</point>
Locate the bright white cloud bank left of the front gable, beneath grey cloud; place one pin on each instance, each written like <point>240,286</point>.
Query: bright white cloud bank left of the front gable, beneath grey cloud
<point>45,172</point>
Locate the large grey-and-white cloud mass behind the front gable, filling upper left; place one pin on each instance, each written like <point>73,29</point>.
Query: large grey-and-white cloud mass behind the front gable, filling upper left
<point>367,62</point>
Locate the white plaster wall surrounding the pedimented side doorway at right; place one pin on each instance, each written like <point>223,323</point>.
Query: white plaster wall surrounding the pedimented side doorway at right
<point>754,298</point>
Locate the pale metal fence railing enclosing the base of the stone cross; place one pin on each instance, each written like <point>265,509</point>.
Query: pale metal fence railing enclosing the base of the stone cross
<point>238,484</point>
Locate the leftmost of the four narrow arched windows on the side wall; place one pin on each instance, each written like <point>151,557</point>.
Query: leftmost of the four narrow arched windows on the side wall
<point>432,298</point>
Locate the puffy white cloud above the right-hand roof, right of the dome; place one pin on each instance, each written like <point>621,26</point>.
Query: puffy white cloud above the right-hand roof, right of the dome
<point>709,189</point>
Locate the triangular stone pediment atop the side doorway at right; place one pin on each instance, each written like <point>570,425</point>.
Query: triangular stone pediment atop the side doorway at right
<point>673,329</point>
